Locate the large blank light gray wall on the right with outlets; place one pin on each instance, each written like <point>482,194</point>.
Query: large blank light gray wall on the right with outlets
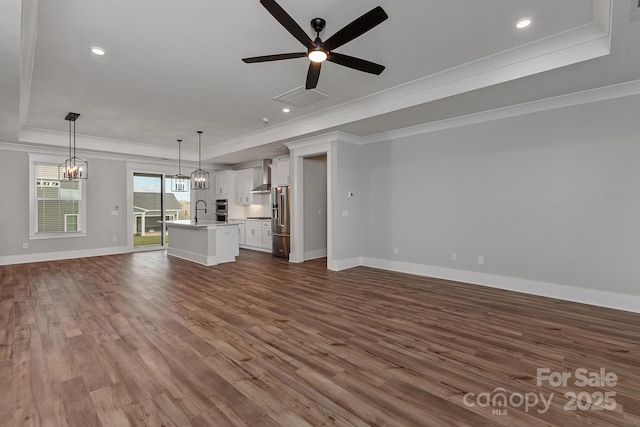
<point>550,197</point>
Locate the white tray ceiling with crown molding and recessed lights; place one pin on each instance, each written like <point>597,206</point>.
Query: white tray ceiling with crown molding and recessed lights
<point>173,68</point>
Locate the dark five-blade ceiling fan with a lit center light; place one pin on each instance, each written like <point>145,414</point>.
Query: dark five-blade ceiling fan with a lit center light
<point>319,51</point>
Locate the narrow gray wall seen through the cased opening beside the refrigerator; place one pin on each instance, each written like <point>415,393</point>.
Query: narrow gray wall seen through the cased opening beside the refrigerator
<point>315,206</point>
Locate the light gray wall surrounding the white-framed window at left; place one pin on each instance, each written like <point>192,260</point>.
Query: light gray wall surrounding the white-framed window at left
<point>106,188</point>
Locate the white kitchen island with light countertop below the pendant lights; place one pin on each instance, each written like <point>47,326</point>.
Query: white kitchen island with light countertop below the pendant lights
<point>205,242</point>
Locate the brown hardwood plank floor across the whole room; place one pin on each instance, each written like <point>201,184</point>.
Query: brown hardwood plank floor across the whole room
<point>145,339</point>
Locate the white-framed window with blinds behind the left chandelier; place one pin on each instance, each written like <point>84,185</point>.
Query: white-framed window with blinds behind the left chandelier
<point>56,207</point>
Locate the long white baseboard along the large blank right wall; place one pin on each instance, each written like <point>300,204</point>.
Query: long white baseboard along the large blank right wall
<point>563,292</point>
